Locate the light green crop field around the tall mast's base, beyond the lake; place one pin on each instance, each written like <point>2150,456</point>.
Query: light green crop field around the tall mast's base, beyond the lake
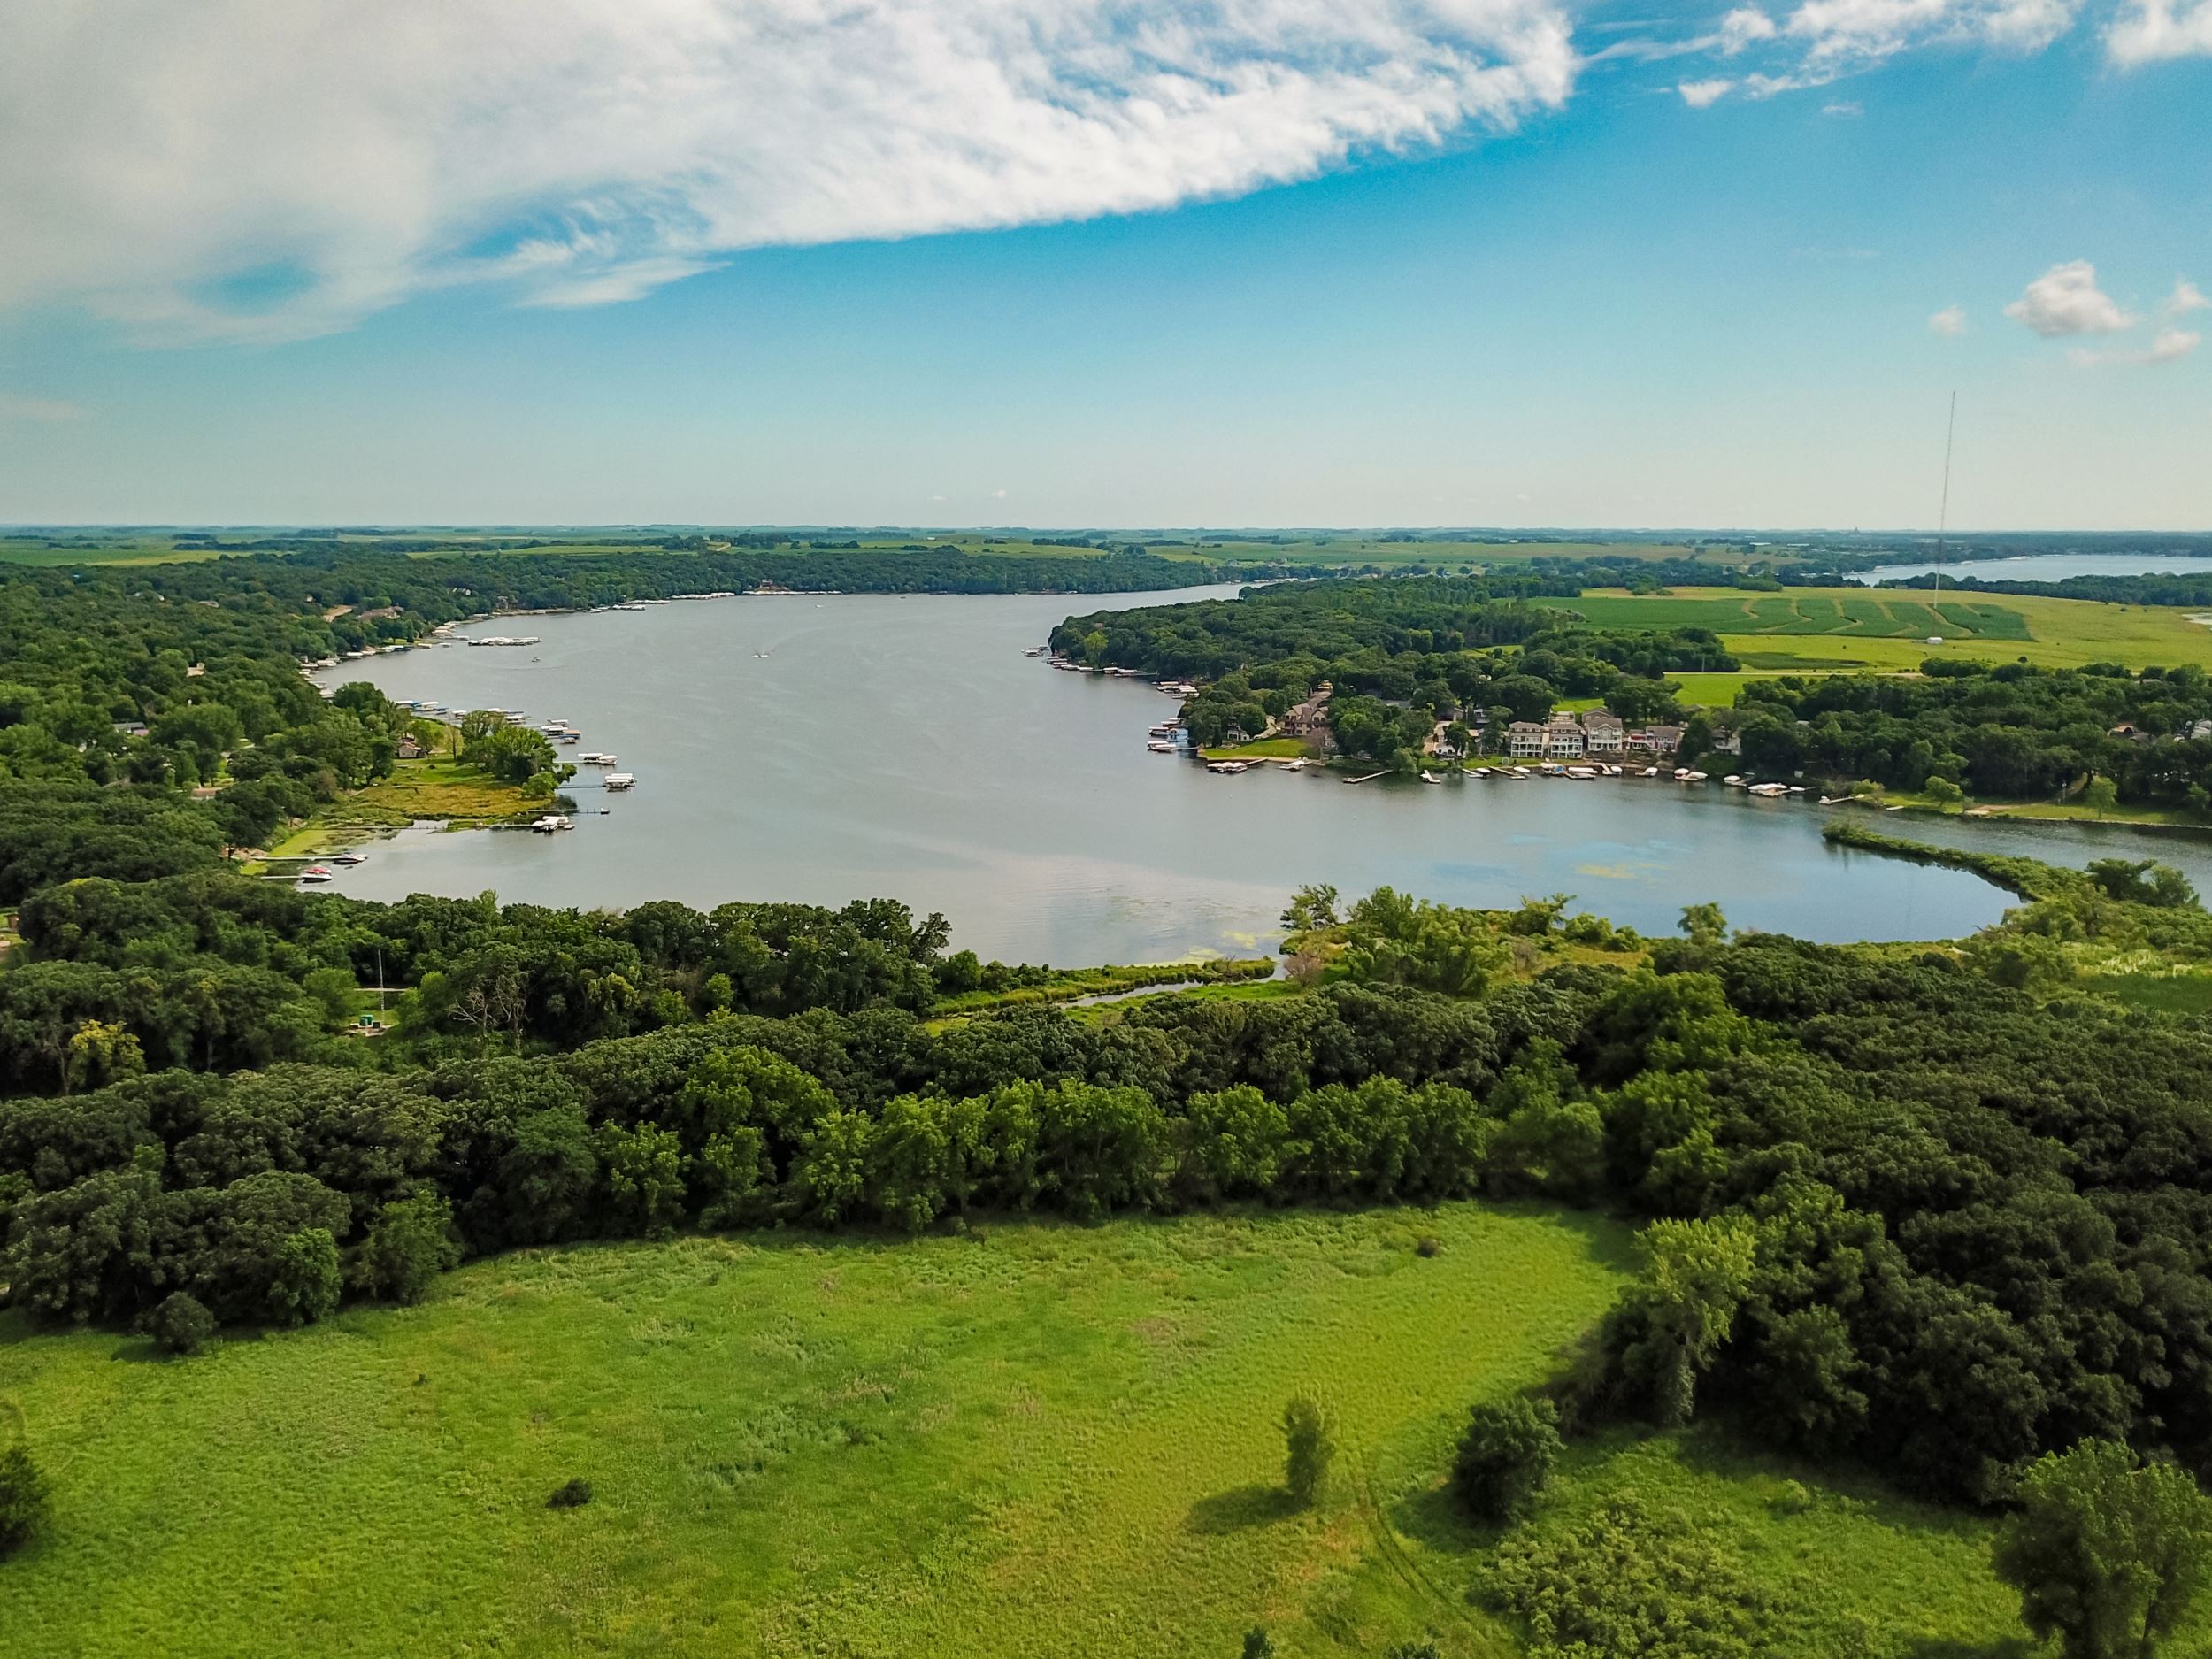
<point>1841,629</point>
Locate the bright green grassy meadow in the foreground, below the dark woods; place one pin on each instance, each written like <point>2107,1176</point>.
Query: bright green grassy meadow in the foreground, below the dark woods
<point>1027,1441</point>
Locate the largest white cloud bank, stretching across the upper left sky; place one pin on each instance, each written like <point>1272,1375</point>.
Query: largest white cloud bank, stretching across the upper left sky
<point>264,169</point>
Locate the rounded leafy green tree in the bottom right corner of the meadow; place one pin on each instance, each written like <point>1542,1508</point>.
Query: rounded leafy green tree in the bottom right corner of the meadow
<point>2107,1556</point>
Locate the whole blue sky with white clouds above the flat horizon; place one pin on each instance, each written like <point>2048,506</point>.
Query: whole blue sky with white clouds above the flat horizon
<point>1450,264</point>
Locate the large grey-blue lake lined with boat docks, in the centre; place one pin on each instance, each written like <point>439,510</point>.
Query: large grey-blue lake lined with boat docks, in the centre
<point>904,747</point>
